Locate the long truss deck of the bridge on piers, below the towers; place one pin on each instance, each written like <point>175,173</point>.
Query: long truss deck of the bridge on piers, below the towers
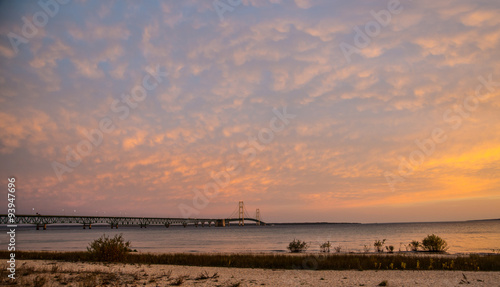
<point>87,221</point>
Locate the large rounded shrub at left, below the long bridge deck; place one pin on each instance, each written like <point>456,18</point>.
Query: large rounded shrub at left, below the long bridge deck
<point>109,249</point>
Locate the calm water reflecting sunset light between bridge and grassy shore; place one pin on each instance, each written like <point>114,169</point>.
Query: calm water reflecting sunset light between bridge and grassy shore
<point>462,237</point>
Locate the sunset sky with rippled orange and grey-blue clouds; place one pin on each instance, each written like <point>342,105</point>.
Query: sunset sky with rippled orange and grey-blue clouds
<point>337,111</point>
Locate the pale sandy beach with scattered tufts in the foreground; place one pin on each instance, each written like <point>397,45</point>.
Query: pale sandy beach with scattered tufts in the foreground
<point>54,273</point>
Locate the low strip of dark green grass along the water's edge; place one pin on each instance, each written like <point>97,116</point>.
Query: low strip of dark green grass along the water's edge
<point>472,262</point>
